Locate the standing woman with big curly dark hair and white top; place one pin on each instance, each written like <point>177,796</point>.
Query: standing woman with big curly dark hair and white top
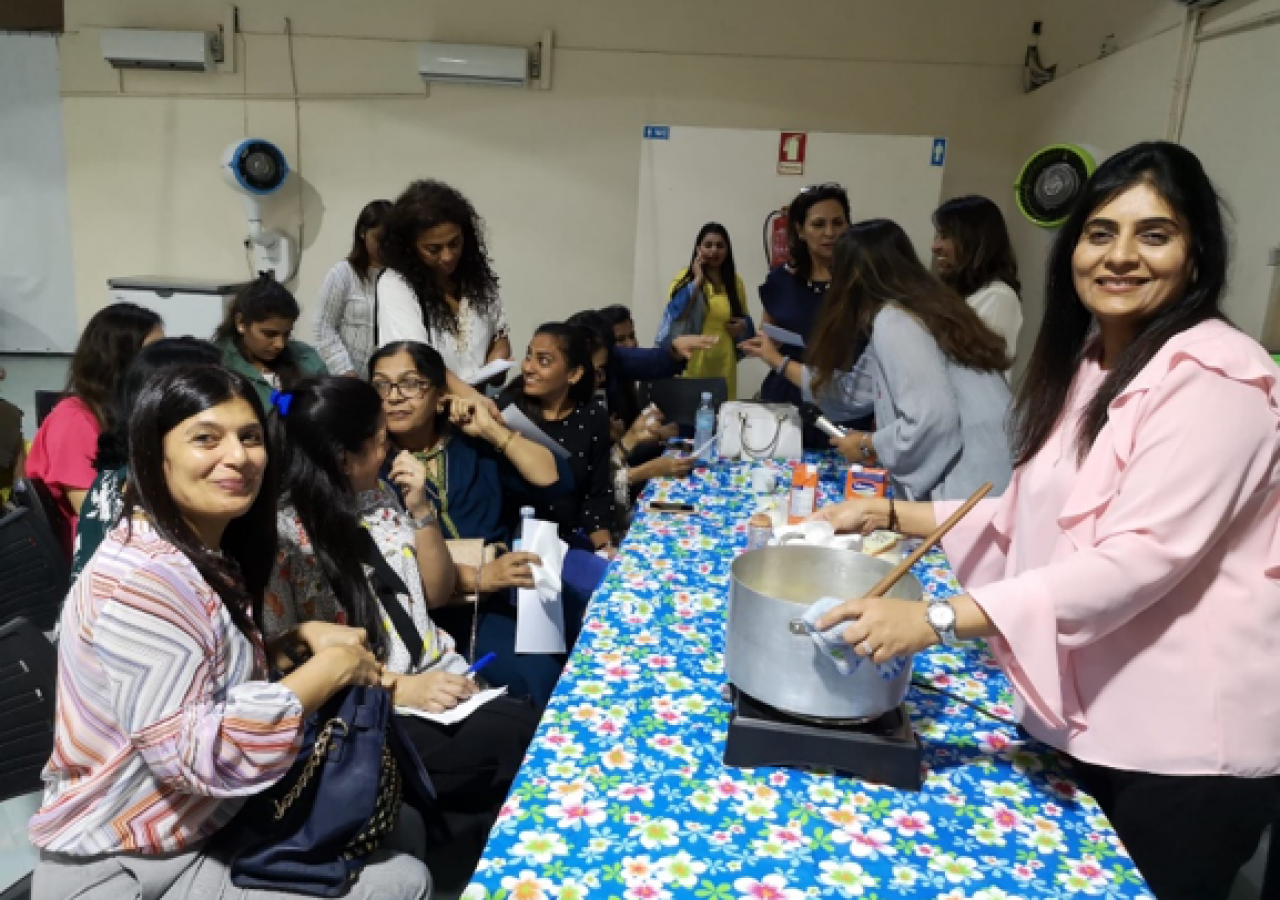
<point>440,287</point>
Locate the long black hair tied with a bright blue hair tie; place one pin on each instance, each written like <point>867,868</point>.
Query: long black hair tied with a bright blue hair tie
<point>331,418</point>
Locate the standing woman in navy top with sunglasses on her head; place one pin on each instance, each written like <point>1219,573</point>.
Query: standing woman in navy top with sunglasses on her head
<point>793,294</point>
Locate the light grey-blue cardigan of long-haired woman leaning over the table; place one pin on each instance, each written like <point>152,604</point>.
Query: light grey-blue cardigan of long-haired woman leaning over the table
<point>941,428</point>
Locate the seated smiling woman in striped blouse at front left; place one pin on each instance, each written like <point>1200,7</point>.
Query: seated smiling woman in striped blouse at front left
<point>166,719</point>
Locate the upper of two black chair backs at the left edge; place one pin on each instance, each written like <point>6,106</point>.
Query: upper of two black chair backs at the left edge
<point>34,570</point>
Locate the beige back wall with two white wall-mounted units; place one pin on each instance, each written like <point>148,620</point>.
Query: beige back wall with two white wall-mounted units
<point>555,173</point>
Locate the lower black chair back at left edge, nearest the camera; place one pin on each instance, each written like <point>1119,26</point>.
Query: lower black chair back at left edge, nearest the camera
<point>29,678</point>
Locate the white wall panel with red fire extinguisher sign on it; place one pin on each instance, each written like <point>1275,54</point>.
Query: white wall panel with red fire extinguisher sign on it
<point>730,176</point>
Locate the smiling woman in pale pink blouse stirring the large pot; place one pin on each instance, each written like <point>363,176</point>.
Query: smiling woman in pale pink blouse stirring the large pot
<point>1127,581</point>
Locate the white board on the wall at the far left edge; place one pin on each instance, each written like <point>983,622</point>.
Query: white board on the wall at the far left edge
<point>38,294</point>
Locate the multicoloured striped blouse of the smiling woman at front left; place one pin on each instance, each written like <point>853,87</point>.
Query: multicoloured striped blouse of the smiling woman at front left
<point>164,721</point>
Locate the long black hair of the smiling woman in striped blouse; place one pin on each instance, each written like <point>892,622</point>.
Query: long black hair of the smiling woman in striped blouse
<point>240,570</point>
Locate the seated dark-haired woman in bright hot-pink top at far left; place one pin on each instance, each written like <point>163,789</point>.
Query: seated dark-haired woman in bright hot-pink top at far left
<point>63,450</point>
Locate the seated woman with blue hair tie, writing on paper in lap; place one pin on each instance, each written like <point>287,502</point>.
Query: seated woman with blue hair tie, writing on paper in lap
<point>348,552</point>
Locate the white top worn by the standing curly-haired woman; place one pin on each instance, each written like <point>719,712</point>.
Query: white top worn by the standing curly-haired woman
<point>400,318</point>
